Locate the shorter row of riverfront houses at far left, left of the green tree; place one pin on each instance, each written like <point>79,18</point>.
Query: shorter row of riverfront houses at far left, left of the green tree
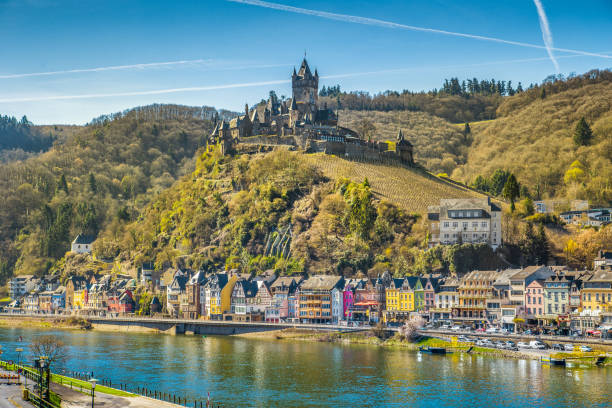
<point>98,295</point>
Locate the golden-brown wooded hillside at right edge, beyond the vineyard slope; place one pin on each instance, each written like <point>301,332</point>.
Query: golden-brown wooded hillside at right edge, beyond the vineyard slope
<point>532,137</point>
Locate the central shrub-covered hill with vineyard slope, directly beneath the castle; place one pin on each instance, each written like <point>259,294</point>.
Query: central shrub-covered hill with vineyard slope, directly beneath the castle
<point>287,211</point>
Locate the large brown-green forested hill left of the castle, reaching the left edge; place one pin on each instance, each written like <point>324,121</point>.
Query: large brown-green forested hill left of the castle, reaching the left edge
<point>97,178</point>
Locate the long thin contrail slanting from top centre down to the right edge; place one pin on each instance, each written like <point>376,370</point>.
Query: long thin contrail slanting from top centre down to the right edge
<point>388,24</point>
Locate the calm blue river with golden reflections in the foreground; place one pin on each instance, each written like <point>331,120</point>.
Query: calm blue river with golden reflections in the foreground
<point>240,372</point>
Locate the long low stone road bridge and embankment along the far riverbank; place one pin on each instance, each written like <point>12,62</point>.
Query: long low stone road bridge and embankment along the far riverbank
<point>192,326</point>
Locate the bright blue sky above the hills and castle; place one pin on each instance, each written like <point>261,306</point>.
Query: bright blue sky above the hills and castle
<point>224,49</point>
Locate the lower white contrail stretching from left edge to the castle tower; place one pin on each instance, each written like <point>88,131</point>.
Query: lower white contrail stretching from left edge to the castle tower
<point>141,93</point>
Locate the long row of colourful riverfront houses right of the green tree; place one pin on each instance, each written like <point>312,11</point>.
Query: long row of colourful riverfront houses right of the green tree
<point>513,298</point>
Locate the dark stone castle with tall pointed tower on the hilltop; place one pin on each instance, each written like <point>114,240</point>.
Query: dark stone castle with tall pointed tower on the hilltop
<point>301,121</point>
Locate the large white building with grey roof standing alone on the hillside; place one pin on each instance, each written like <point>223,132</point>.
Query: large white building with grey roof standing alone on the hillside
<point>465,220</point>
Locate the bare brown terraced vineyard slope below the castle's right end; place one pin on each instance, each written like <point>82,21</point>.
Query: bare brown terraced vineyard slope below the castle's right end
<point>407,188</point>
